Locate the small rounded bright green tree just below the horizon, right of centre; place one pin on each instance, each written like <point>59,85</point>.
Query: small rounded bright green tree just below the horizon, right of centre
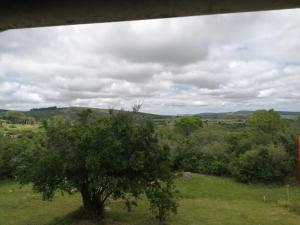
<point>187,124</point>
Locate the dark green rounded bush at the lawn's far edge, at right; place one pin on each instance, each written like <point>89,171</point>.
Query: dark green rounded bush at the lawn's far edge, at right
<point>265,163</point>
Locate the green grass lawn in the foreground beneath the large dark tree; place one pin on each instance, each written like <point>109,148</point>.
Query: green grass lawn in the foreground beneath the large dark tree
<point>205,200</point>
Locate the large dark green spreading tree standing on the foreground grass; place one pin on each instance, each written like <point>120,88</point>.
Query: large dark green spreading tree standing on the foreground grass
<point>100,157</point>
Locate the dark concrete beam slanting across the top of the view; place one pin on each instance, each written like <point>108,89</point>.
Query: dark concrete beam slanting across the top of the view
<point>37,13</point>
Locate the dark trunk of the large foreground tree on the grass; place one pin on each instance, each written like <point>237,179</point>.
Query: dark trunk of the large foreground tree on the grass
<point>91,202</point>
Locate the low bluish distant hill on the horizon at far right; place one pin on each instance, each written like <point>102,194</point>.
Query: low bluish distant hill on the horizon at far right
<point>243,115</point>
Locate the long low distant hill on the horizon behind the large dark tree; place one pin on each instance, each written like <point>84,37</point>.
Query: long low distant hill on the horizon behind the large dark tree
<point>71,112</point>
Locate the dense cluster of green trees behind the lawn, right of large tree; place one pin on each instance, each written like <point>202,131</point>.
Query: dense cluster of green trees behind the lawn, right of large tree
<point>264,150</point>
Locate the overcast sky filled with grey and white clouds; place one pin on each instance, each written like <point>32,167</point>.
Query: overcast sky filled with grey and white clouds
<point>216,63</point>
